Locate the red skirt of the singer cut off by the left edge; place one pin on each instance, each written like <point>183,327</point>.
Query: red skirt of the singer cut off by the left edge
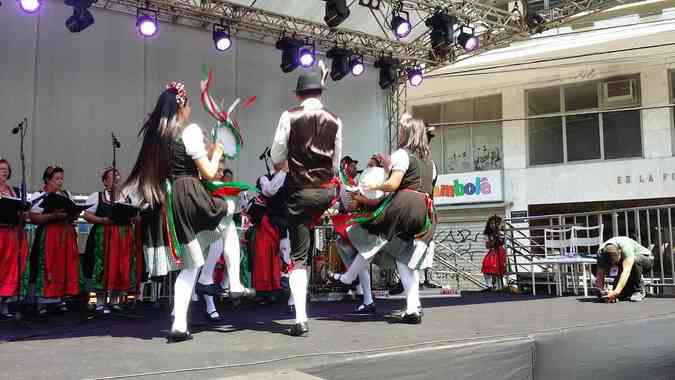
<point>10,245</point>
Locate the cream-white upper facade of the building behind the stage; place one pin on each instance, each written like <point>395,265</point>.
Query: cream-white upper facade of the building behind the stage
<point>584,181</point>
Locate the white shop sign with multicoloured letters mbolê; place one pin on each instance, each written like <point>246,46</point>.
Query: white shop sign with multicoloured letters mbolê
<point>472,187</point>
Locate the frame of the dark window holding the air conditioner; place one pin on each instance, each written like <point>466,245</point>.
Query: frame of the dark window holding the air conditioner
<point>599,110</point>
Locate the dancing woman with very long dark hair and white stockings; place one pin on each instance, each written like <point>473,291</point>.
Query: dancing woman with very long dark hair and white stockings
<point>166,172</point>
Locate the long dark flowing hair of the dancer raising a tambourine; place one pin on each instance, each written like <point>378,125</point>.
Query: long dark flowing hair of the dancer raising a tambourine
<point>151,170</point>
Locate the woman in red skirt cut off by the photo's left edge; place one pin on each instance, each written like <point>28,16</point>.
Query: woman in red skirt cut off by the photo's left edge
<point>13,242</point>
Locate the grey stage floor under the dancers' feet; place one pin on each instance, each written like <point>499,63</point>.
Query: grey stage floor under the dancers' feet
<point>477,336</point>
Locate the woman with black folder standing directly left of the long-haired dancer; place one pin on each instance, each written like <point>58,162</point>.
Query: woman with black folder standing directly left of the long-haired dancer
<point>110,258</point>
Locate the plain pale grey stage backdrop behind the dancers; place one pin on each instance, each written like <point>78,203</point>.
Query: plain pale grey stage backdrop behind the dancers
<point>78,88</point>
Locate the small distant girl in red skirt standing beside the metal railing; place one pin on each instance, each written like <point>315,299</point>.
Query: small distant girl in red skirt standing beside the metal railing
<point>494,262</point>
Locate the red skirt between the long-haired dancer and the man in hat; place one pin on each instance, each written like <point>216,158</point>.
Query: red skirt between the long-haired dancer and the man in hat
<point>266,274</point>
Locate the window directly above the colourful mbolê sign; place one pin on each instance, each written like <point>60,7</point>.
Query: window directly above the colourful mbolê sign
<point>465,147</point>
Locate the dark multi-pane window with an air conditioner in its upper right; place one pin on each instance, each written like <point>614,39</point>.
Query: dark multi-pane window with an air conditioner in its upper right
<point>575,125</point>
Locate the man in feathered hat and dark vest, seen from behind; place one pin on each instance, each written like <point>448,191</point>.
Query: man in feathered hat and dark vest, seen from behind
<point>310,138</point>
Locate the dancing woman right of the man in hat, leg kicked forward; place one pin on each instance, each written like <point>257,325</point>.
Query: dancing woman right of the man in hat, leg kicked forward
<point>404,220</point>
